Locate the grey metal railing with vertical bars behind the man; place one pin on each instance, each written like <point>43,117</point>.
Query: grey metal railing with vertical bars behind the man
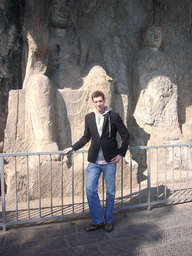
<point>48,185</point>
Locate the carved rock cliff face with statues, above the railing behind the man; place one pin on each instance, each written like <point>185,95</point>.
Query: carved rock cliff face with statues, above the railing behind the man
<point>52,47</point>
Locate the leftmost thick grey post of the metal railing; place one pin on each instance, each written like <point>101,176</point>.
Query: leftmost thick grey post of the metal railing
<point>2,191</point>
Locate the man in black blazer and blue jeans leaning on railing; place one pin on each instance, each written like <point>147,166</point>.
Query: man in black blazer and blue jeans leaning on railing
<point>101,127</point>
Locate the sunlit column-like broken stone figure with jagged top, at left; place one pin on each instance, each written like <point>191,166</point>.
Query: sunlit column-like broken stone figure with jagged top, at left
<point>39,96</point>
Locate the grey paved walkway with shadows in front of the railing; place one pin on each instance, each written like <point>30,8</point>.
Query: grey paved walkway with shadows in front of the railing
<point>162,231</point>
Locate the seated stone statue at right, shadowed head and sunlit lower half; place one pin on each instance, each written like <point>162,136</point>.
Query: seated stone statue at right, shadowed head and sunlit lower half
<point>155,91</point>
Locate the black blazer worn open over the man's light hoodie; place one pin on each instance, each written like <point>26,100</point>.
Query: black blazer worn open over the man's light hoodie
<point>112,123</point>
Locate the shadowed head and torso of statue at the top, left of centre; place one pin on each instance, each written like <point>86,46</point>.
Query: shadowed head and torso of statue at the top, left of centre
<point>67,50</point>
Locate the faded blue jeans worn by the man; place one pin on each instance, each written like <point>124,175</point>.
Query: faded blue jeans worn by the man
<point>93,174</point>
